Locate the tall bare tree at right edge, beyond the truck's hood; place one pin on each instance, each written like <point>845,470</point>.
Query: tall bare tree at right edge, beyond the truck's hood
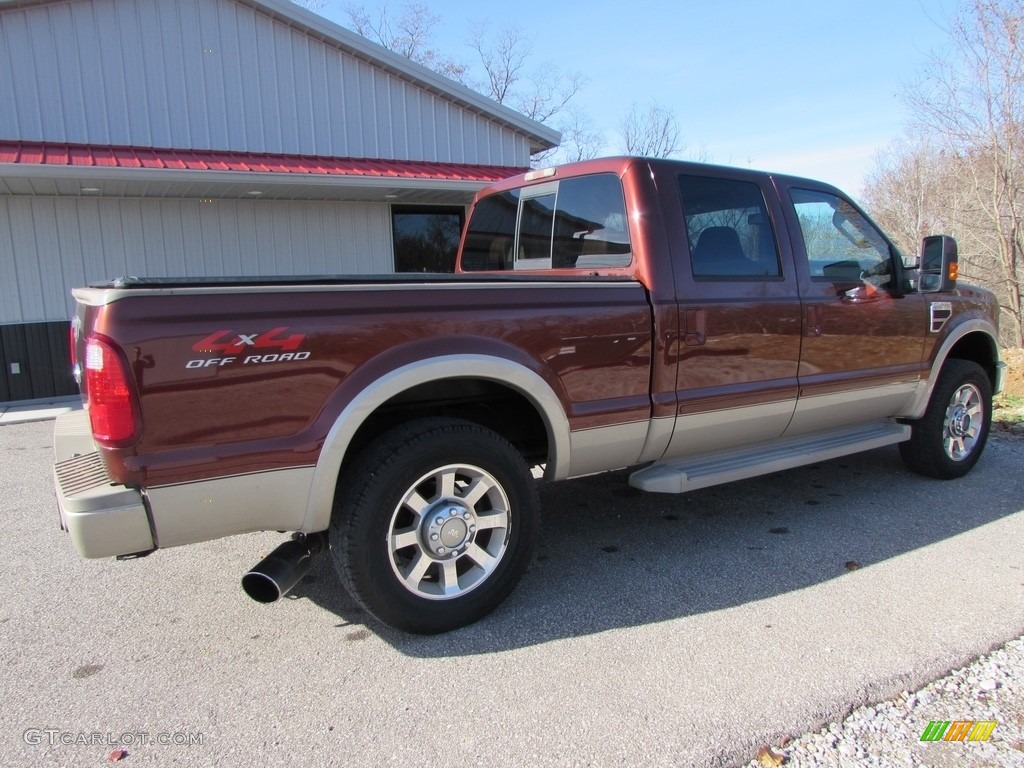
<point>972,102</point>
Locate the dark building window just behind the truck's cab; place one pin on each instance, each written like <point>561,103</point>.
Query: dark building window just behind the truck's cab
<point>426,240</point>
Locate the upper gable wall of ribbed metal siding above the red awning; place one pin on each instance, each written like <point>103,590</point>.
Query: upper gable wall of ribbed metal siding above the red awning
<point>217,74</point>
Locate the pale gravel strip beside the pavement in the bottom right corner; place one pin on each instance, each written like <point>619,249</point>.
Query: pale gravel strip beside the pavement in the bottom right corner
<point>889,734</point>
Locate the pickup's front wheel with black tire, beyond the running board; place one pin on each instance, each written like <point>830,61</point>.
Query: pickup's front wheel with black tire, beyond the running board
<point>950,439</point>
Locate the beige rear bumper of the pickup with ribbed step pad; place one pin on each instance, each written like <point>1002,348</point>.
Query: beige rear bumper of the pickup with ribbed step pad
<point>104,520</point>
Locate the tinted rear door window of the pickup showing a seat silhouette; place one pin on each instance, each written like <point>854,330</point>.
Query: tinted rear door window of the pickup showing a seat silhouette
<point>730,233</point>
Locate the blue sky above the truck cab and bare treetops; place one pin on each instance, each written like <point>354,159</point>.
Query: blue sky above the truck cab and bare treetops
<point>806,88</point>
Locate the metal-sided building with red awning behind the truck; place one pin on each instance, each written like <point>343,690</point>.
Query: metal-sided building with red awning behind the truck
<point>212,138</point>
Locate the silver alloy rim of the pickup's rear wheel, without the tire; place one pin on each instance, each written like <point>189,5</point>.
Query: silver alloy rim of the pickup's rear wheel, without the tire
<point>449,532</point>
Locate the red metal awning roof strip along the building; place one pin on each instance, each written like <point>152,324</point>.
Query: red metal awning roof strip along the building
<point>27,153</point>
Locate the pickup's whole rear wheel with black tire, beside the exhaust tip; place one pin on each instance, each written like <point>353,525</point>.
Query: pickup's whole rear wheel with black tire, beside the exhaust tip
<point>460,556</point>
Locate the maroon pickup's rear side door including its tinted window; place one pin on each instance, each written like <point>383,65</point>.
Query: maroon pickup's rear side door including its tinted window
<point>739,346</point>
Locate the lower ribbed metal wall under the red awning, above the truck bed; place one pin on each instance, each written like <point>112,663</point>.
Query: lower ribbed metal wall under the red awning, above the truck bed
<point>52,245</point>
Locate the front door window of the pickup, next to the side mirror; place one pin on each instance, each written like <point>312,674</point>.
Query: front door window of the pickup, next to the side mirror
<point>841,244</point>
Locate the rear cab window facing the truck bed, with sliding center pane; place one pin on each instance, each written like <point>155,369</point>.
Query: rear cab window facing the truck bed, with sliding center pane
<point>575,224</point>
